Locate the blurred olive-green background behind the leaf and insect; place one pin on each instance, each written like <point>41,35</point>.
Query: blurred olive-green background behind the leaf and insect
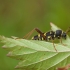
<point>18,17</point>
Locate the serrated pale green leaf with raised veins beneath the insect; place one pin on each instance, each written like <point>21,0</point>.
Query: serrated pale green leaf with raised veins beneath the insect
<point>37,55</point>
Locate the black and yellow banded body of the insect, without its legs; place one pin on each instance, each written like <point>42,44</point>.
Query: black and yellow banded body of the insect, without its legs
<point>51,35</point>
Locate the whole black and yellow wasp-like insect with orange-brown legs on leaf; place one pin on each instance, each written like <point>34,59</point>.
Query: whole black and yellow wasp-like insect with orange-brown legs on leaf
<point>50,35</point>
